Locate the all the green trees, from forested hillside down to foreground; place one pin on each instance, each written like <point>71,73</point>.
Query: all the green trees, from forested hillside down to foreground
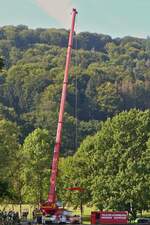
<point>106,77</point>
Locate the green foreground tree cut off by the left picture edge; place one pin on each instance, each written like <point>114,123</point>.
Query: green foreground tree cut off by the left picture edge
<point>9,152</point>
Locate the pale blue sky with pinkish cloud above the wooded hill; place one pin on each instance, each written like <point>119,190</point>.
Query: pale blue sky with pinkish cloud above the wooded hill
<point>117,18</point>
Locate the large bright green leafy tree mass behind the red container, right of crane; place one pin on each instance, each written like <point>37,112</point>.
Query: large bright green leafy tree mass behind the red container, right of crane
<point>113,165</point>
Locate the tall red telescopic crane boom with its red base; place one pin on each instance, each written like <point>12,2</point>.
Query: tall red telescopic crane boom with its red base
<point>50,207</point>
